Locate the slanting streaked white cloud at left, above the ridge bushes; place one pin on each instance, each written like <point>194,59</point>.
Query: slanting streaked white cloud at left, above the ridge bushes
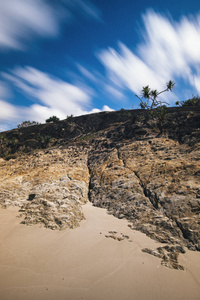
<point>52,92</point>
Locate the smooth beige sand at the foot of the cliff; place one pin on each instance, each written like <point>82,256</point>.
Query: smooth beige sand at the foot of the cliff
<point>38,263</point>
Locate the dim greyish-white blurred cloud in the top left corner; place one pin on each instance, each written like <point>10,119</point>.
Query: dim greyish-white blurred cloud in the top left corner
<point>20,20</point>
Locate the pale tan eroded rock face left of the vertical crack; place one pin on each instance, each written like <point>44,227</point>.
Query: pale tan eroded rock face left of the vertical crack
<point>49,187</point>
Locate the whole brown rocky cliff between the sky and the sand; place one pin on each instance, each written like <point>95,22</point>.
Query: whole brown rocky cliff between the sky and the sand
<point>140,165</point>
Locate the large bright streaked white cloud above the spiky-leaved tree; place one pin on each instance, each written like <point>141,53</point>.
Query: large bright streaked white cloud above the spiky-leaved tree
<point>170,51</point>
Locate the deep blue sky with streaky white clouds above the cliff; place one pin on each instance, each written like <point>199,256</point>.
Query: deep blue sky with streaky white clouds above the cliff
<point>63,57</point>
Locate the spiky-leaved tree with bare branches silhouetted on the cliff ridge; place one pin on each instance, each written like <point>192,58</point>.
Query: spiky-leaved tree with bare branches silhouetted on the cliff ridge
<point>150,96</point>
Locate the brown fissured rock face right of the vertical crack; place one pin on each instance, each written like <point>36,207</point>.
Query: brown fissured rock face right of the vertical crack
<point>154,184</point>
